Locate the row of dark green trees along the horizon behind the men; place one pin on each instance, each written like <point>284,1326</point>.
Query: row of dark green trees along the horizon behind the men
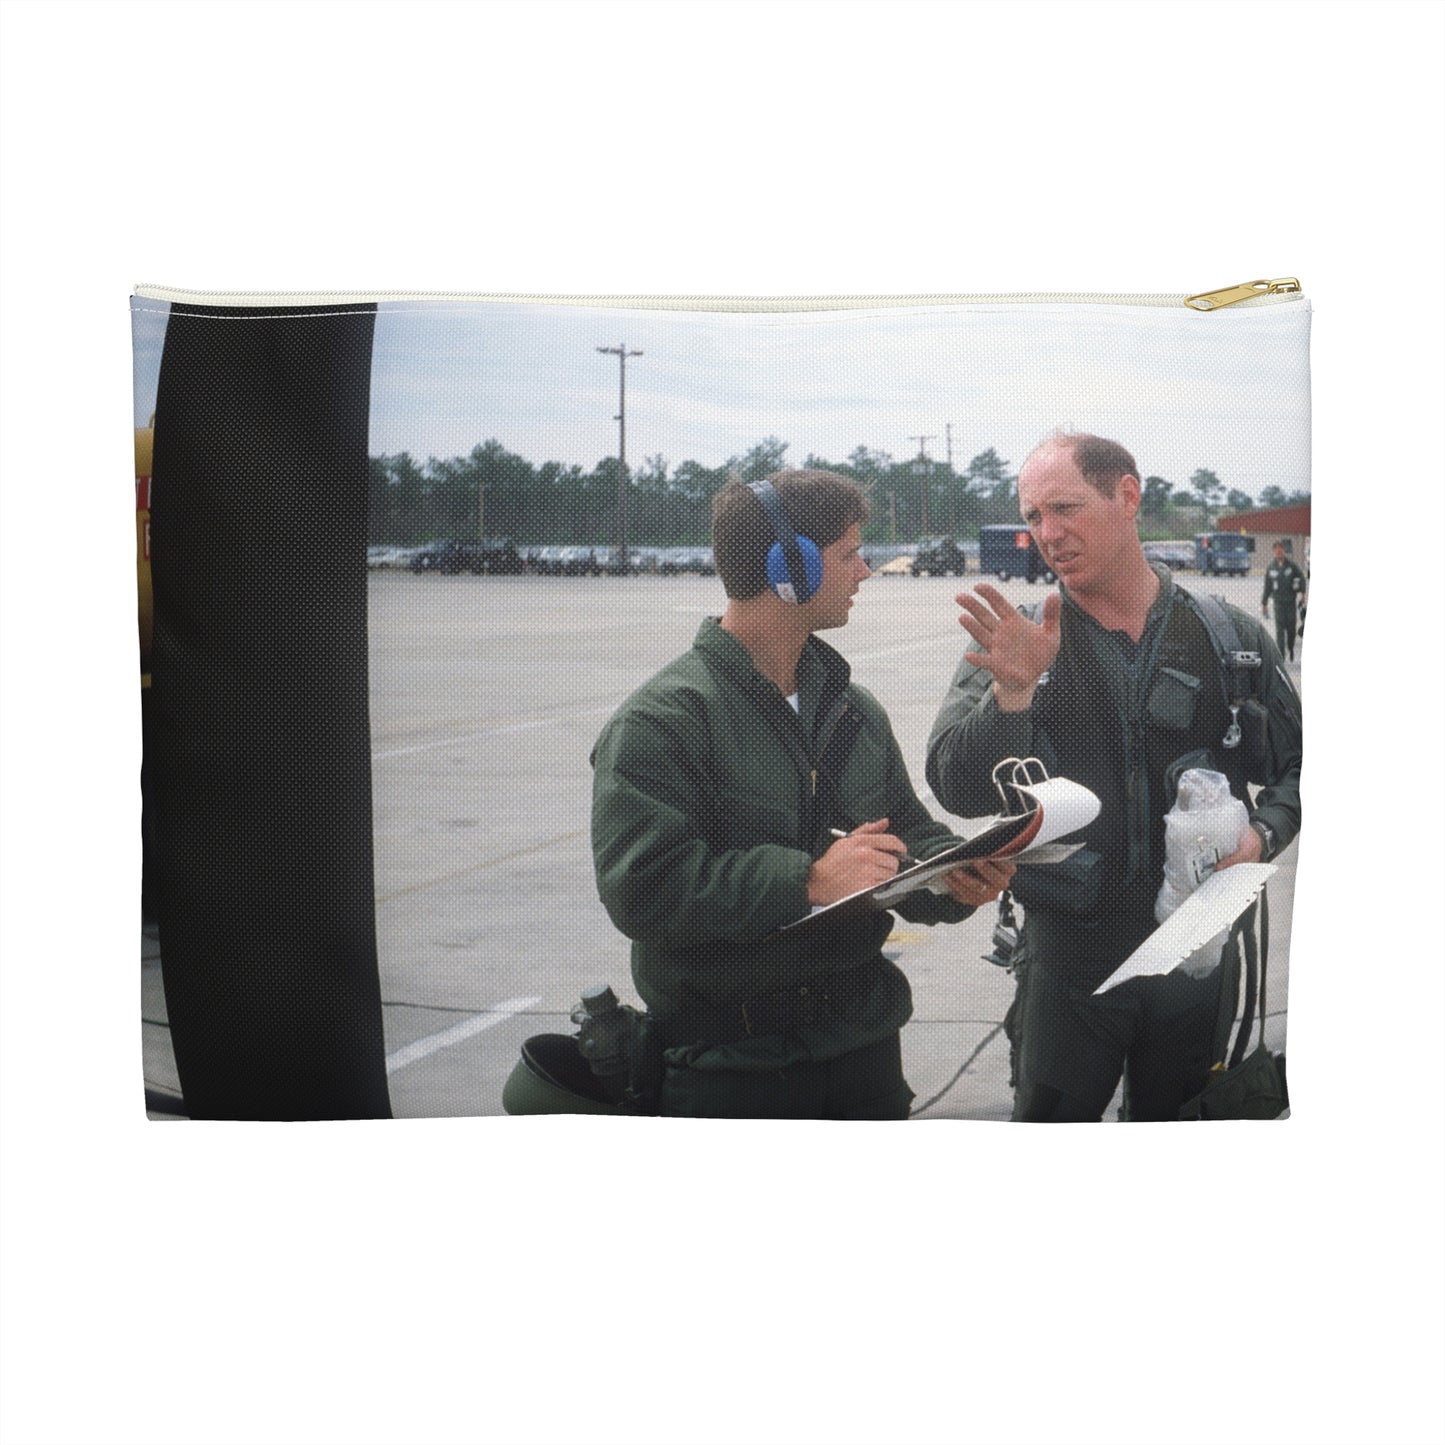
<point>493,492</point>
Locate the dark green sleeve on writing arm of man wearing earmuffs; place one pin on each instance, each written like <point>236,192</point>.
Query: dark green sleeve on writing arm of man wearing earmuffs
<point>660,875</point>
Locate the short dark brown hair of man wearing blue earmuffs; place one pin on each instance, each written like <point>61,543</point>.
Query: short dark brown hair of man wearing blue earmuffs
<point>820,505</point>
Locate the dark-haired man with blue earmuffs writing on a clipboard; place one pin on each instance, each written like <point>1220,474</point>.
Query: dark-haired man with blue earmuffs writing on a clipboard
<point>746,784</point>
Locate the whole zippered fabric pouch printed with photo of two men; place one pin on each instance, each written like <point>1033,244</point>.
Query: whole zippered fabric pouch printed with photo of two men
<point>556,704</point>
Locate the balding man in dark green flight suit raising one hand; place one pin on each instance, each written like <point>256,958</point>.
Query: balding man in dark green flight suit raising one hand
<point>1118,686</point>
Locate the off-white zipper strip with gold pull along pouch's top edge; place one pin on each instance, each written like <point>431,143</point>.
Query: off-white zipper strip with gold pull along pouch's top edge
<point>1249,294</point>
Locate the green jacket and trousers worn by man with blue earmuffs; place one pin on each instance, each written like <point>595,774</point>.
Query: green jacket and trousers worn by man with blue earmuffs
<point>710,806</point>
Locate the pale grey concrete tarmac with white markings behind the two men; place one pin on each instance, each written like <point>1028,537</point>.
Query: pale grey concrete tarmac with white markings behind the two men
<point>486,699</point>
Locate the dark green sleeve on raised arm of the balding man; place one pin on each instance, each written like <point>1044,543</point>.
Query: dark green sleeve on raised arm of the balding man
<point>972,735</point>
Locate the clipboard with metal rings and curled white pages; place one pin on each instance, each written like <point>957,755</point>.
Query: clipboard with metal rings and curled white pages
<point>1040,811</point>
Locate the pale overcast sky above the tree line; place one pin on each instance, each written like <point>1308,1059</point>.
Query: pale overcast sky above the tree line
<point>1183,391</point>
